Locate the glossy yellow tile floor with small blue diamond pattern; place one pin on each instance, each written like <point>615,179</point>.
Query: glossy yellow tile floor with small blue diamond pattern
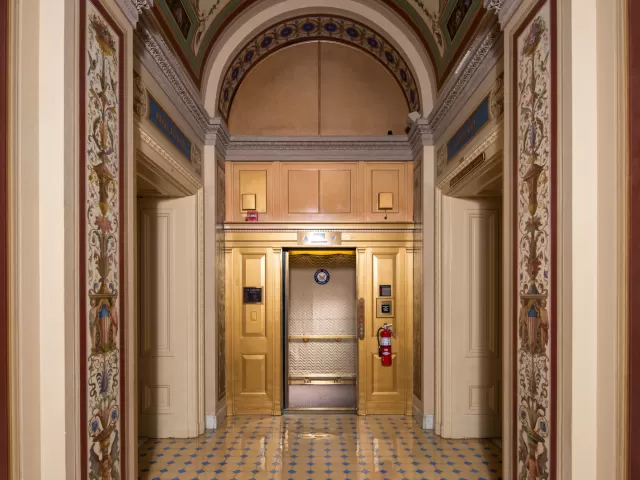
<point>319,447</point>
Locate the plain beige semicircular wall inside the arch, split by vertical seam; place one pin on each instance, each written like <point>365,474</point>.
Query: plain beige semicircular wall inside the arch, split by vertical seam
<point>318,88</point>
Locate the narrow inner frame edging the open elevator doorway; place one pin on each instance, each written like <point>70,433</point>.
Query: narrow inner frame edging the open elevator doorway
<point>285,333</point>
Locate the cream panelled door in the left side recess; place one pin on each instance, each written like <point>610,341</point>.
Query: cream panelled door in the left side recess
<point>167,363</point>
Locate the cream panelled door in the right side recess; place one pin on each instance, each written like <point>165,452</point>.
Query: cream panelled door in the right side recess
<point>471,318</point>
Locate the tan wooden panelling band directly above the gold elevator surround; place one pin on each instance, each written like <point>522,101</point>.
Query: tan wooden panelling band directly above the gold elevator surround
<point>307,192</point>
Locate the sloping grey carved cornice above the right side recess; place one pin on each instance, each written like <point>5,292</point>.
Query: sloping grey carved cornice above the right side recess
<point>484,53</point>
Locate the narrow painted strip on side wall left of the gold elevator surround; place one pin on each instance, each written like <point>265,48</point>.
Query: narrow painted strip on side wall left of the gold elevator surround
<point>220,278</point>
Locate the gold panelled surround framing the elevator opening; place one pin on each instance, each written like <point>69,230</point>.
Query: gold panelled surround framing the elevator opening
<point>252,392</point>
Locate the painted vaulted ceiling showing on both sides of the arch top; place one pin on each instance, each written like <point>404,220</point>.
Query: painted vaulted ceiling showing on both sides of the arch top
<point>193,27</point>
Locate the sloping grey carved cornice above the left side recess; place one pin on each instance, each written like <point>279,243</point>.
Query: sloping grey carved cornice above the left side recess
<point>158,58</point>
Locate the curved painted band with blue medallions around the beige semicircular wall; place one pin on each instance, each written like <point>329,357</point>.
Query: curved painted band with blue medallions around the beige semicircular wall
<point>312,28</point>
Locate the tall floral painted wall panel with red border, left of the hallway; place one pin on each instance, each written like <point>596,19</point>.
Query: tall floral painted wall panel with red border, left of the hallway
<point>102,244</point>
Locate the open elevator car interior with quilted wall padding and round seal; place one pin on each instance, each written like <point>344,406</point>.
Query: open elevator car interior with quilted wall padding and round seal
<point>321,349</point>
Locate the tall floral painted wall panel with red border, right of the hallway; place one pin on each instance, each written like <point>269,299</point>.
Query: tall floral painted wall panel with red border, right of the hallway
<point>535,237</point>
